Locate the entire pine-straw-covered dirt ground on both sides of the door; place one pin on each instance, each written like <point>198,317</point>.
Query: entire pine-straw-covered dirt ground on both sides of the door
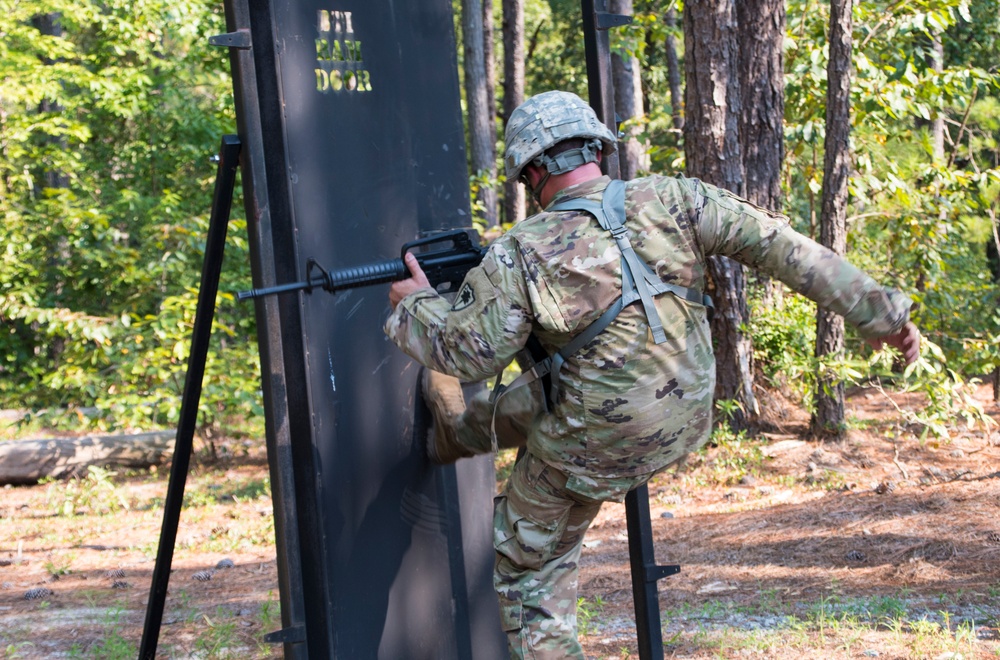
<point>870,547</point>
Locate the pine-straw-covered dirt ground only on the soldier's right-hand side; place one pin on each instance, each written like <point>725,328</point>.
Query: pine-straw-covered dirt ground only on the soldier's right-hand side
<point>865,532</point>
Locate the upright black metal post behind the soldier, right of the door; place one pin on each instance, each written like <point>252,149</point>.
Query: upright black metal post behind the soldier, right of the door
<point>645,572</point>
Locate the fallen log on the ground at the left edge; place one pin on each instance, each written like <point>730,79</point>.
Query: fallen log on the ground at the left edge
<point>27,461</point>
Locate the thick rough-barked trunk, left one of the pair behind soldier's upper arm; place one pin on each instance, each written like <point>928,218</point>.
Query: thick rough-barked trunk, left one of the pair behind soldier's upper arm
<point>712,150</point>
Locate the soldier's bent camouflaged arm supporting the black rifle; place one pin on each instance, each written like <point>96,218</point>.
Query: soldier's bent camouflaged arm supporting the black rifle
<point>473,337</point>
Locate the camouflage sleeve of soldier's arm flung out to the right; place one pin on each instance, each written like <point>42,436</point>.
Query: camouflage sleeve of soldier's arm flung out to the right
<point>764,241</point>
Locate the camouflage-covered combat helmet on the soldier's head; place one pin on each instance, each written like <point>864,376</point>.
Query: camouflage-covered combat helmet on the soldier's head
<point>545,120</point>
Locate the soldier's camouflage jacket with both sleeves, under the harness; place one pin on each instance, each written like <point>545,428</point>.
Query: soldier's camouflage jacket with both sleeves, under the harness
<point>628,407</point>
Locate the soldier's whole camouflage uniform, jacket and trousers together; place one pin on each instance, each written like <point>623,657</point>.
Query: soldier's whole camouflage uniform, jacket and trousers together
<point>628,407</point>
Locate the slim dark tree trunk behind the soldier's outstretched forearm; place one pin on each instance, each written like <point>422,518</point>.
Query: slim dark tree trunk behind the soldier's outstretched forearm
<point>828,420</point>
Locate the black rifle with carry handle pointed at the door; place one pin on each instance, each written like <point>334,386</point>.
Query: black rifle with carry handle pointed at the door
<point>445,259</point>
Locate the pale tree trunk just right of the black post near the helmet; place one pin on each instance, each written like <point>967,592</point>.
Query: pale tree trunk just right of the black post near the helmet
<point>625,76</point>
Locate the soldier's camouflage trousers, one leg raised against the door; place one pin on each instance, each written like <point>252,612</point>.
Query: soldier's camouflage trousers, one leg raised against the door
<point>538,527</point>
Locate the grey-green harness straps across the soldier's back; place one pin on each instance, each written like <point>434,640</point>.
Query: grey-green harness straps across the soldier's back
<point>639,282</point>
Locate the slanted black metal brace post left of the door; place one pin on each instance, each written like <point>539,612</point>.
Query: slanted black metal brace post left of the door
<point>225,181</point>
